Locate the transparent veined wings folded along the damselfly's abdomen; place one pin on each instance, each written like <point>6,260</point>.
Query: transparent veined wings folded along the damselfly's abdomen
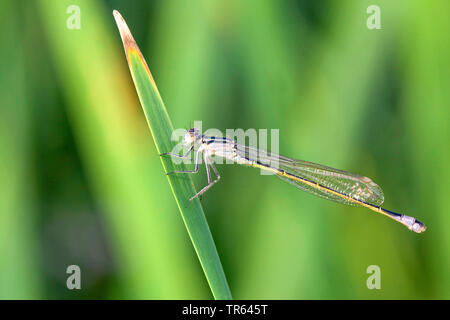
<point>349,184</point>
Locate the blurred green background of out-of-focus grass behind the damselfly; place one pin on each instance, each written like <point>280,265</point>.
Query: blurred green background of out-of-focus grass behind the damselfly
<point>81,182</point>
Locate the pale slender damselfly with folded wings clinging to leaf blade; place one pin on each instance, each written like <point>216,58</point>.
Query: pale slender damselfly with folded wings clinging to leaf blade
<point>322,181</point>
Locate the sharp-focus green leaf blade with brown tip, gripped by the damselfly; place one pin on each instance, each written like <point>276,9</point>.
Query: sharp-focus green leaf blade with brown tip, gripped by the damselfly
<point>182,188</point>
